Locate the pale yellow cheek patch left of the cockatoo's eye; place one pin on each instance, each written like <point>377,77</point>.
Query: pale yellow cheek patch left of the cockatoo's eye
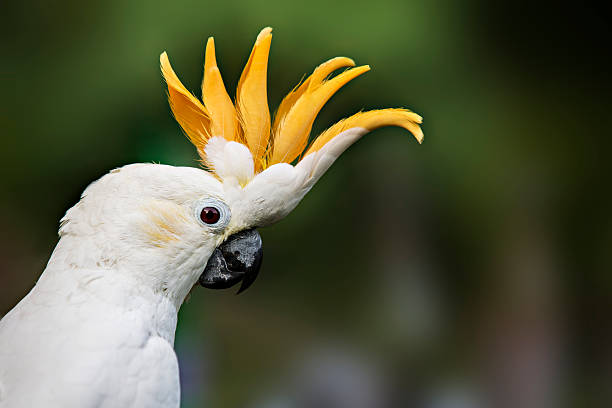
<point>164,223</point>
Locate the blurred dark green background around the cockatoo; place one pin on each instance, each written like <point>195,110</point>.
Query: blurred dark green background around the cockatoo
<point>471,271</point>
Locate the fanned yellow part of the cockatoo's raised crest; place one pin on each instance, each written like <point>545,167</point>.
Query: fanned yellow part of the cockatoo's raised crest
<point>248,120</point>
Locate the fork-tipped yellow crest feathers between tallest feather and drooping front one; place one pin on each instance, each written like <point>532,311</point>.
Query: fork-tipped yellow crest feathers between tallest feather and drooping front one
<point>294,129</point>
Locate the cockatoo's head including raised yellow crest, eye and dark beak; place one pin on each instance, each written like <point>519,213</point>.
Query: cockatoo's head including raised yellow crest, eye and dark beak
<point>184,224</point>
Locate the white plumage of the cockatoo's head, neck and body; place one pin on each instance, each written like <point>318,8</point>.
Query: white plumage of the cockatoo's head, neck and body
<point>97,330</point>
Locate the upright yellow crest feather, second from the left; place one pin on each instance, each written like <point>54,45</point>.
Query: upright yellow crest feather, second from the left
<point>215,97</point>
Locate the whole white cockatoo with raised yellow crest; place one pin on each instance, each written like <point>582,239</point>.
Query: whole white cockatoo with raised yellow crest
<point>97,329</point>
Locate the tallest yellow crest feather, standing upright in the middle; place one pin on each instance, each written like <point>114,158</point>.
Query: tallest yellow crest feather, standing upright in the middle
<point>252,99</point>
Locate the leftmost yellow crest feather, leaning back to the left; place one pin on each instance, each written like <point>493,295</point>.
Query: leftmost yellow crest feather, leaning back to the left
<point>187,109</point>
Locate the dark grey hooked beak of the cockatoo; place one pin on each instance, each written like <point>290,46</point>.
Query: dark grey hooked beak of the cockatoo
<point>237,259</point>
